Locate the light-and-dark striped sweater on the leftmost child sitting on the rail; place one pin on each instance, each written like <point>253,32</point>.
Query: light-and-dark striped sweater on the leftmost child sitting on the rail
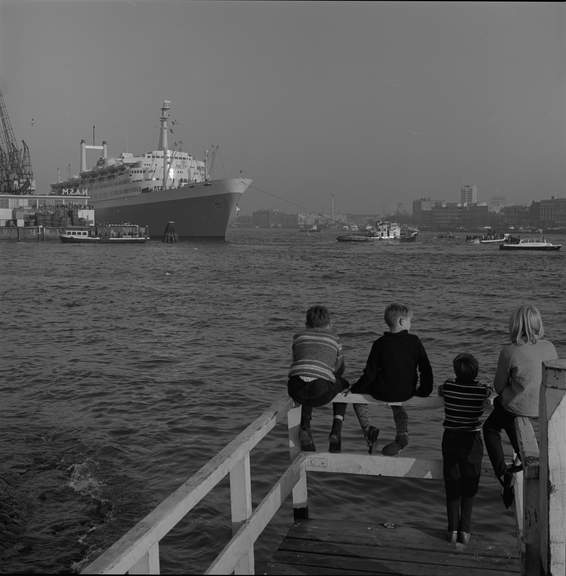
<point>317,353</point>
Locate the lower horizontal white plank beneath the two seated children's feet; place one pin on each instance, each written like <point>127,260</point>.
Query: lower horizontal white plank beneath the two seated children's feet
<point>378,465</point>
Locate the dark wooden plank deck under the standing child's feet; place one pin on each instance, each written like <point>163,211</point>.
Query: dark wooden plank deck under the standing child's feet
<point>383,548</point>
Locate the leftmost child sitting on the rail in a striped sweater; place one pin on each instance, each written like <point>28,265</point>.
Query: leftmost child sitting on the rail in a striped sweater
<point>315,376</point>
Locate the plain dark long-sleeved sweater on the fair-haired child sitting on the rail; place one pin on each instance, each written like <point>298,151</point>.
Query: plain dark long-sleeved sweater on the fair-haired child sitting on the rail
<point>396,363</point>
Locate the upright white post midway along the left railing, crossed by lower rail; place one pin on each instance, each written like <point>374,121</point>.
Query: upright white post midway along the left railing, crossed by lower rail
<point>241,505</point>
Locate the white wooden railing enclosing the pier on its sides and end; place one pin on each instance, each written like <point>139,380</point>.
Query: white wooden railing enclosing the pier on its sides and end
<point>540,489</point>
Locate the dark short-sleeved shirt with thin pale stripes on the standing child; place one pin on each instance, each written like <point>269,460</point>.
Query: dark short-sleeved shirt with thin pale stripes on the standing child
<point>464,404</point>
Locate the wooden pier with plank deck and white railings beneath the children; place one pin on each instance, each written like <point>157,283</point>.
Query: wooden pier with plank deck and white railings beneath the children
<point>315,546</point>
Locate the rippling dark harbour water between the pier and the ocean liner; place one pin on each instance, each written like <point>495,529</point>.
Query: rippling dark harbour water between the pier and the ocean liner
<point>126,368</point>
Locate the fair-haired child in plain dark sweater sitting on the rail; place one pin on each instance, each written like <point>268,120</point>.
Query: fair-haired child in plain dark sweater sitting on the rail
<point>396,363</point>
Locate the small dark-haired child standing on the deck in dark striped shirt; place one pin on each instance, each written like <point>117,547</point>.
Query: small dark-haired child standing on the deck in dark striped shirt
<point>465,400</point>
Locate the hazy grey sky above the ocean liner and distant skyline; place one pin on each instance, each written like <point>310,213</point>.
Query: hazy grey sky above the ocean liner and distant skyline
<point>375,103</point>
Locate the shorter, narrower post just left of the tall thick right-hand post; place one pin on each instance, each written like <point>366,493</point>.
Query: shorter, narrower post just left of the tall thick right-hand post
<point>528,499</point>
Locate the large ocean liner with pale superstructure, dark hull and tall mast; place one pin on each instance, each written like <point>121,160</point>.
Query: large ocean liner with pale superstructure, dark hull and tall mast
<point>159,187</point>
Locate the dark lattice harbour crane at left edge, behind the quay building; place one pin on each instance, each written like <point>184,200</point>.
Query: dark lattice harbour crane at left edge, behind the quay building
<point>16,175</point>
